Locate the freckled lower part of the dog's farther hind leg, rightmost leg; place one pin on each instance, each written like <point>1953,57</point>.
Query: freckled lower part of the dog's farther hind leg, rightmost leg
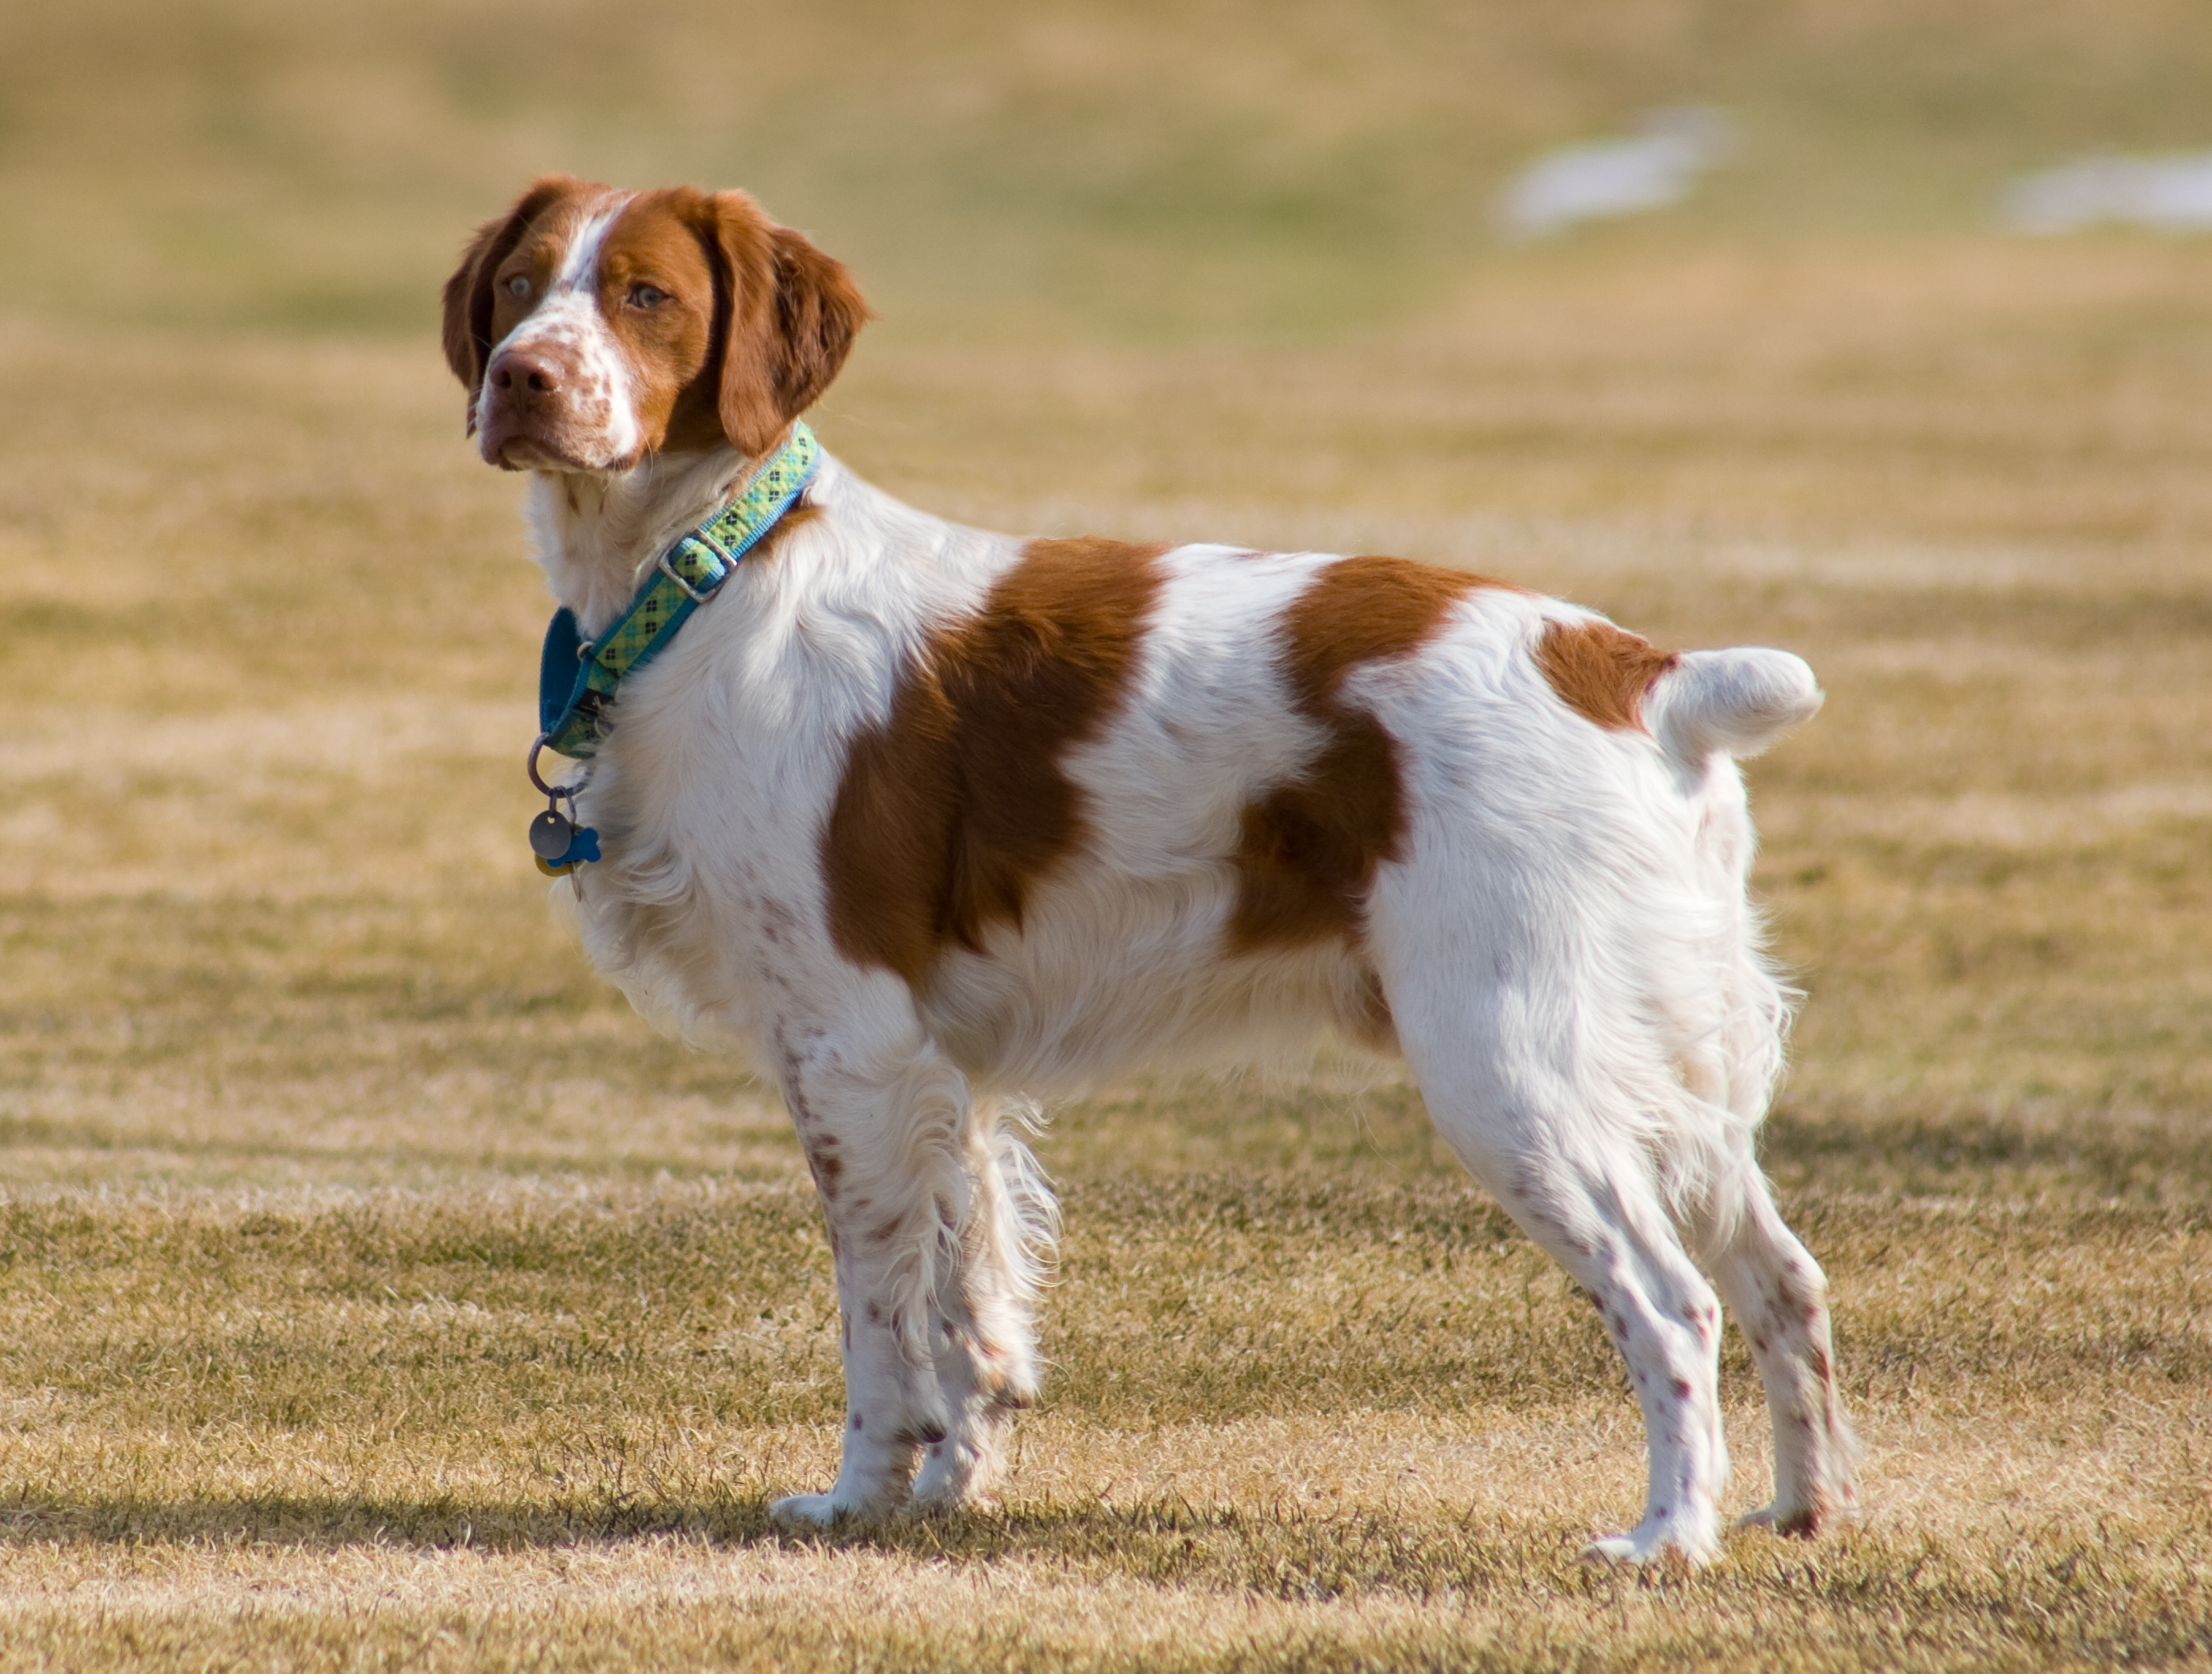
<point>1780,1297</point>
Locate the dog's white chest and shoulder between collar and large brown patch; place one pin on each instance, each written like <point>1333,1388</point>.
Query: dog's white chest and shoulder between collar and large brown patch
<point>718,782</point>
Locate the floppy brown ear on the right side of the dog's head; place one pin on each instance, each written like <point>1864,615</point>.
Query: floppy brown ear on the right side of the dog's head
<point>791,326</point>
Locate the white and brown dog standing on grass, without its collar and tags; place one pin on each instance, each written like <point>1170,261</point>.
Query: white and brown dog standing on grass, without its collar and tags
<point>935,819</point>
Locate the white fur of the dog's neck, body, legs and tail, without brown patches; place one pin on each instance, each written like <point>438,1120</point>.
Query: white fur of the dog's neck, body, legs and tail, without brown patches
<point>1565,948</point>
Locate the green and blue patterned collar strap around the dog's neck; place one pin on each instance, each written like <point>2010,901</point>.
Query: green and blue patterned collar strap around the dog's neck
<point>578,680</point>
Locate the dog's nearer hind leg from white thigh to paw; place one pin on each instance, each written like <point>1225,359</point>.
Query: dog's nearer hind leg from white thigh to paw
<point>1543,1087</point>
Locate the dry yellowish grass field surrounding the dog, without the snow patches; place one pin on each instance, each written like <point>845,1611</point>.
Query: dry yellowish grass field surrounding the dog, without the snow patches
<point>379,1293</point>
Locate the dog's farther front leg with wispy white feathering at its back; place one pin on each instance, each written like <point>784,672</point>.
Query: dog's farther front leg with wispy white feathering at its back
<point>988,1366</point>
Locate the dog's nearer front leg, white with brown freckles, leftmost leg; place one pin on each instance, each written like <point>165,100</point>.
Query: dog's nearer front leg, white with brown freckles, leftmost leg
<point>884,1136</point>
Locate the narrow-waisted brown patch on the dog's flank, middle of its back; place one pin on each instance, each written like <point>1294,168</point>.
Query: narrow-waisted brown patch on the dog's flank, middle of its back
<point>1308,850</point>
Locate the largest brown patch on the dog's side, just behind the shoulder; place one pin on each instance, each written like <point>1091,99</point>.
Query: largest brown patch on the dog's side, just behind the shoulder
<point>957,806</point>
